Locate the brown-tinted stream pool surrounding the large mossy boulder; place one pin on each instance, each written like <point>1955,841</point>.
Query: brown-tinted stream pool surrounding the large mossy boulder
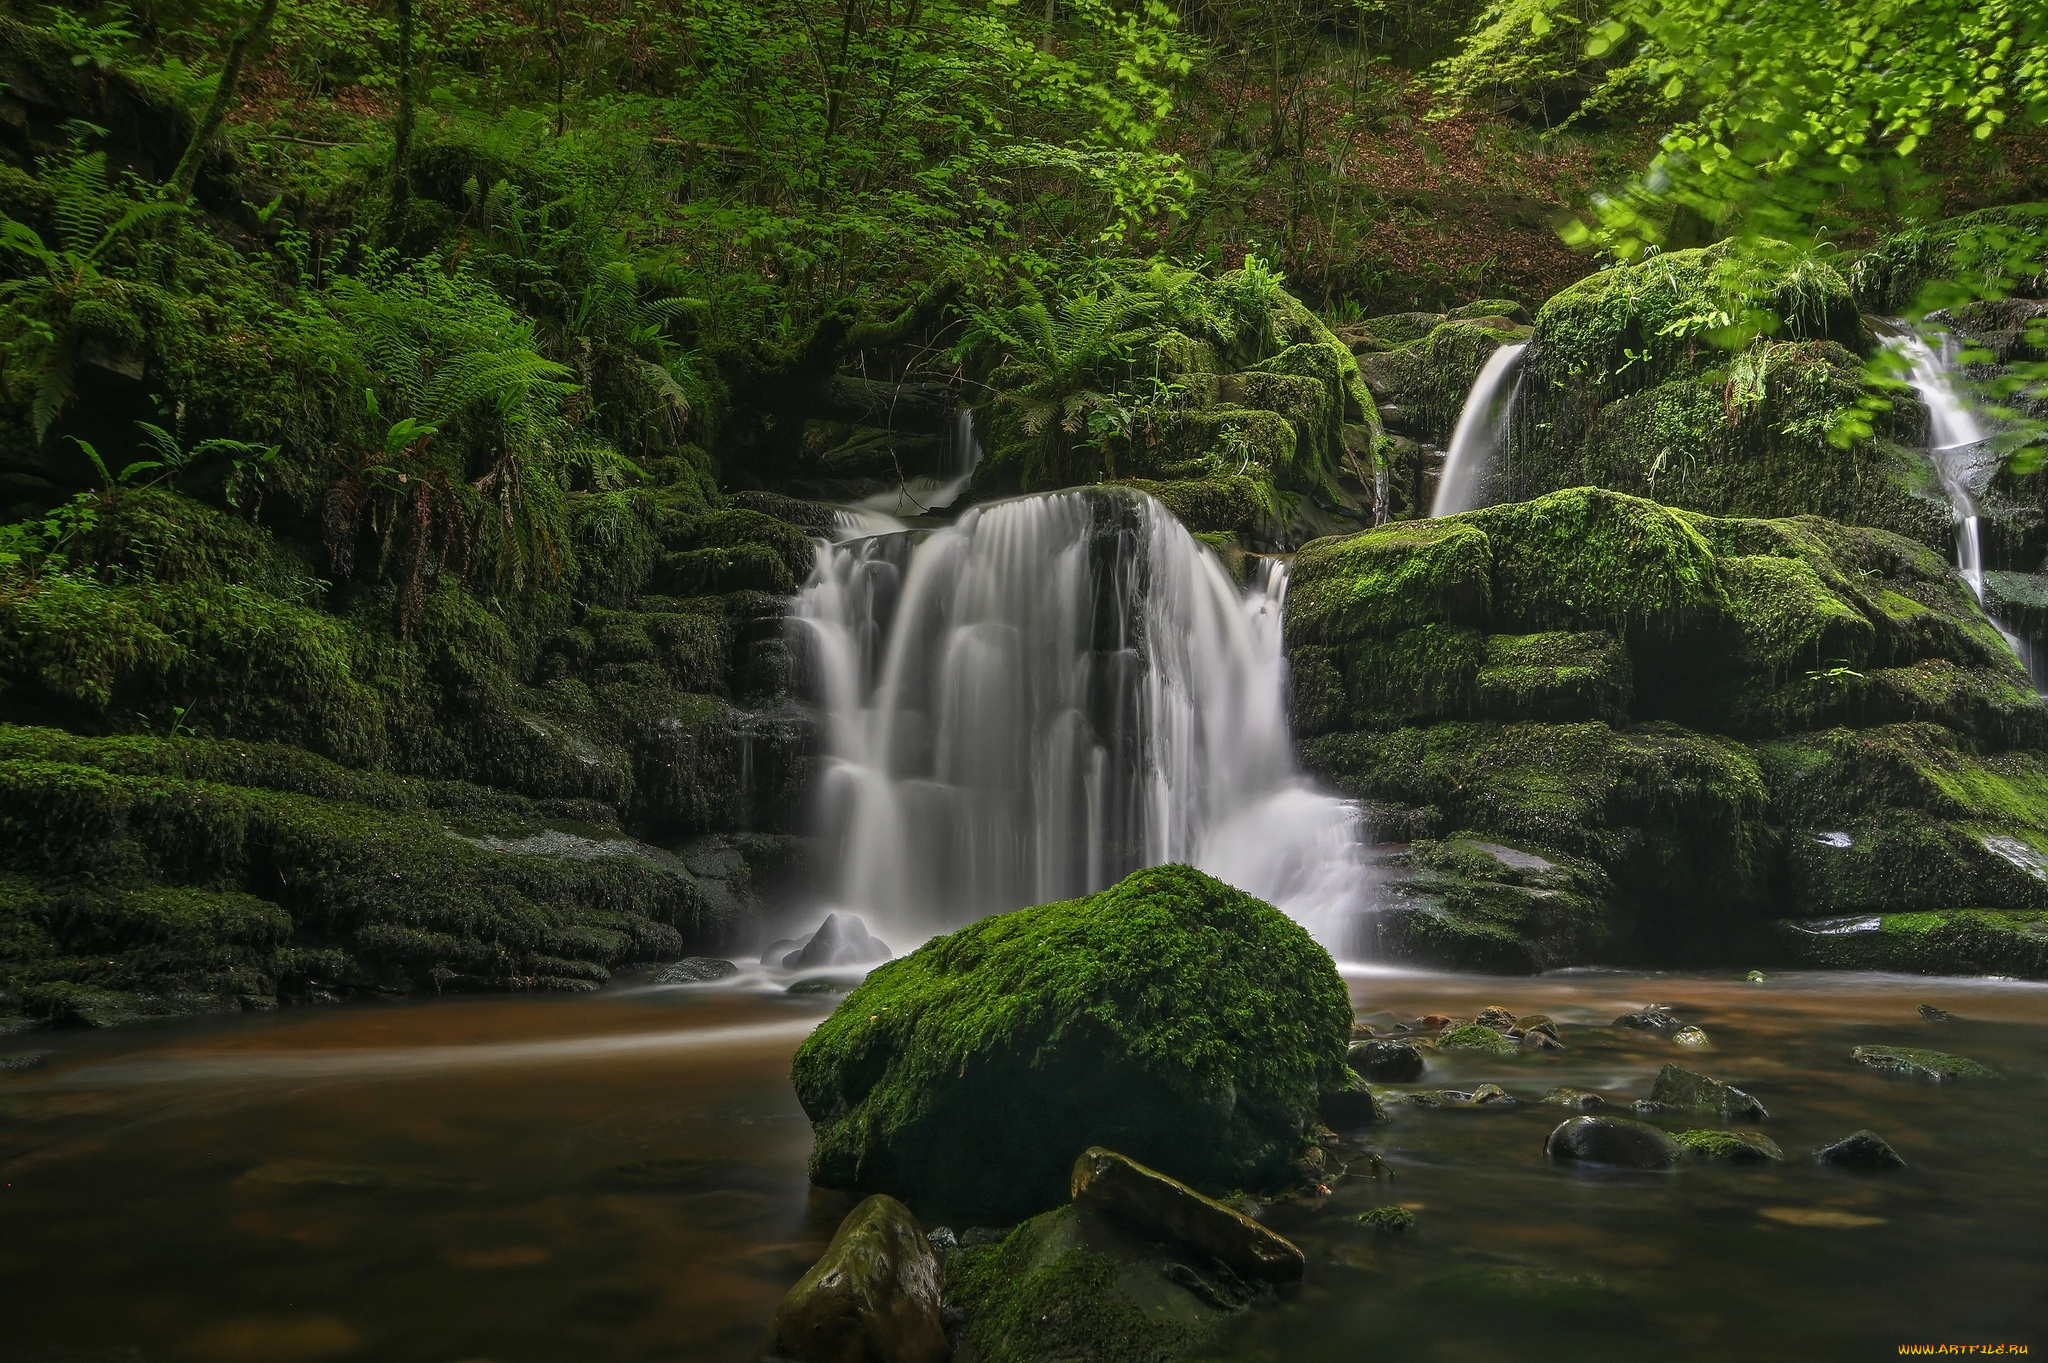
<point>622,1178</point>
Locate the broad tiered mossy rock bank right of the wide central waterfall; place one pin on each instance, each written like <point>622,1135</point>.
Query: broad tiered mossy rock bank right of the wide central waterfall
<point>1621,730</point>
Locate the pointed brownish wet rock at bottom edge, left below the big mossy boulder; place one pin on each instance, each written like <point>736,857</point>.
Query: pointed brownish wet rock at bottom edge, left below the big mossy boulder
<point>873,1299</point>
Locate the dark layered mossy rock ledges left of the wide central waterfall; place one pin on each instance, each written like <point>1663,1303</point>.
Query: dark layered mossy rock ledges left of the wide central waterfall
<point>230,783</point>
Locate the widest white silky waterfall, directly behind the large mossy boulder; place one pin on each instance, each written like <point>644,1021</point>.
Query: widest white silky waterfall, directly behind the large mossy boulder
<point>1050,695</point>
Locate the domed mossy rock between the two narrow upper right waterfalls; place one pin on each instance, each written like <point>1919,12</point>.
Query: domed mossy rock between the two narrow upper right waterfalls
<point>1631,384</point>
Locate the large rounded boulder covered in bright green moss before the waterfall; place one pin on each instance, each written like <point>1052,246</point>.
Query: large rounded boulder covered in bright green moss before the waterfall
<point>1170,1018</point>
